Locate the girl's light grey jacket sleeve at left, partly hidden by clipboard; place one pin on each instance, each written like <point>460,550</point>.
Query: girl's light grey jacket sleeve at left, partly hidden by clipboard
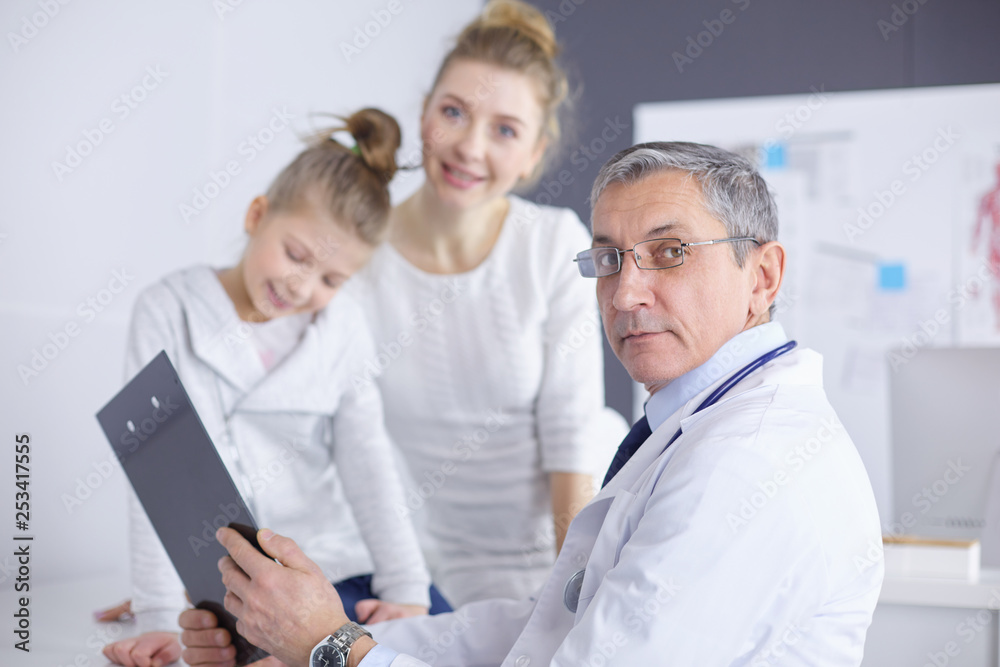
<point>157,591</point>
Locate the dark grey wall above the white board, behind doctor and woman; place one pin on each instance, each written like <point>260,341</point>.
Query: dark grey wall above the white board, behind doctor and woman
<point>621,52</point>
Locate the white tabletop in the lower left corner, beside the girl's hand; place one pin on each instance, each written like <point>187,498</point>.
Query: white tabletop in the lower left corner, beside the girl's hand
<point>63,630</point>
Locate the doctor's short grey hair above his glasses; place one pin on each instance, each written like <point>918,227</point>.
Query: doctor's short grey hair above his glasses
<point>733,190</point>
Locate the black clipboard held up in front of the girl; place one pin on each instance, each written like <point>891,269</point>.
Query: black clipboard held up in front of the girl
<point>182,483</point>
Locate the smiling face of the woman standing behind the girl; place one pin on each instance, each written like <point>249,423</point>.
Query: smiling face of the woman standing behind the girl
<point>481,130</point>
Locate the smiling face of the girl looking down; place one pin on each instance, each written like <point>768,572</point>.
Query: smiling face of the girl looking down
<point>296,262</point>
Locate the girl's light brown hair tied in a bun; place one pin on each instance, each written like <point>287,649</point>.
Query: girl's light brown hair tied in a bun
<point>352,185</point>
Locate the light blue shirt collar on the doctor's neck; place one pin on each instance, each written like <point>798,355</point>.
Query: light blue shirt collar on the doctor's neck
<point>739,351</point>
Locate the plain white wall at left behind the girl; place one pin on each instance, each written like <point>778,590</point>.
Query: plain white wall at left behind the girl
<point>65,234</point>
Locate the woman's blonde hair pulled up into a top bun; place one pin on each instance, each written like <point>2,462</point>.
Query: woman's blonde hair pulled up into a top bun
<point>516,36</point>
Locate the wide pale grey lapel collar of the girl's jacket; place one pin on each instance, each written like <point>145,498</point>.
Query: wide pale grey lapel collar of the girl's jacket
<point>220,339</point>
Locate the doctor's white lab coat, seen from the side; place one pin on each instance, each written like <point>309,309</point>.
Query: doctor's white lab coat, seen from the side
<point>752,540</point>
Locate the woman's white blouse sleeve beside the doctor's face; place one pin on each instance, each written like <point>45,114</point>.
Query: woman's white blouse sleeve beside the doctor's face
<point>577,432</point>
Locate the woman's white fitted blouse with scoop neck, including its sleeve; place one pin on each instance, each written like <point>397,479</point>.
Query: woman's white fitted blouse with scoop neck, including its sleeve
<point>491,379</point>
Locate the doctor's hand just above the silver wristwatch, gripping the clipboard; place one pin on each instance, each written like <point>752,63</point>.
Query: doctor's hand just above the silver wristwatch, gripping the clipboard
<point>285,608</point>
